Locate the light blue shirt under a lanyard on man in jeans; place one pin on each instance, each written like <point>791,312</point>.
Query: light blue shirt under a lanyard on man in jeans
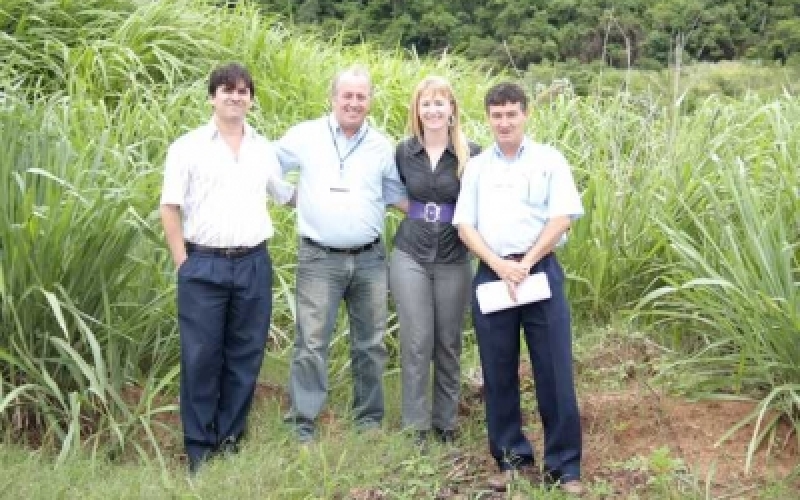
<point>344,184</point>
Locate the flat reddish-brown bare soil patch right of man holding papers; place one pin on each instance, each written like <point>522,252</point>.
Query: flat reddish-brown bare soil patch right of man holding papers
<point>622,426</point>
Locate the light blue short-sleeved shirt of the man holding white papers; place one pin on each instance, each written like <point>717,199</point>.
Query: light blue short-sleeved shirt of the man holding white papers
<point>509,201</point>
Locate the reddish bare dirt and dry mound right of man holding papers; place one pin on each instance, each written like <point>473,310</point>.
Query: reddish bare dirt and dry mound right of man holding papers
<point>627,425</point>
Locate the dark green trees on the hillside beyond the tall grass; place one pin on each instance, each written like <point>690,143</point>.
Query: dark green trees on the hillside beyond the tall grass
<point>518,33</point>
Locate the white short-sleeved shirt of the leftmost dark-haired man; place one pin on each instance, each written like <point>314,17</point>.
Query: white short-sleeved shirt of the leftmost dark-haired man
<point>223,198</point>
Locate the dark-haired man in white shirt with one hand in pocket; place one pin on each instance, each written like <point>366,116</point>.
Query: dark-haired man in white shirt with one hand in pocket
<point>214,212</point>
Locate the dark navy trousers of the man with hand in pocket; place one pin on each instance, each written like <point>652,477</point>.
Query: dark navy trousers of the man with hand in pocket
<point>224,309</point>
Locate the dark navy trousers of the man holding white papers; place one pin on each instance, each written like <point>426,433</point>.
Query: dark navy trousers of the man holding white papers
<point>546,326</point>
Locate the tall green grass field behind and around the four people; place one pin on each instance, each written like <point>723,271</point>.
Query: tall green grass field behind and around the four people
<point>691,234</point>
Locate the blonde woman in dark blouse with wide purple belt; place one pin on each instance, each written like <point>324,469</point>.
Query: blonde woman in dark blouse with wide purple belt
<point>429,270</point>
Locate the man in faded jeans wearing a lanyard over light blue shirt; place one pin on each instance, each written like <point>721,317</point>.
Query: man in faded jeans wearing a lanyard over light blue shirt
<point>347,177</point>
